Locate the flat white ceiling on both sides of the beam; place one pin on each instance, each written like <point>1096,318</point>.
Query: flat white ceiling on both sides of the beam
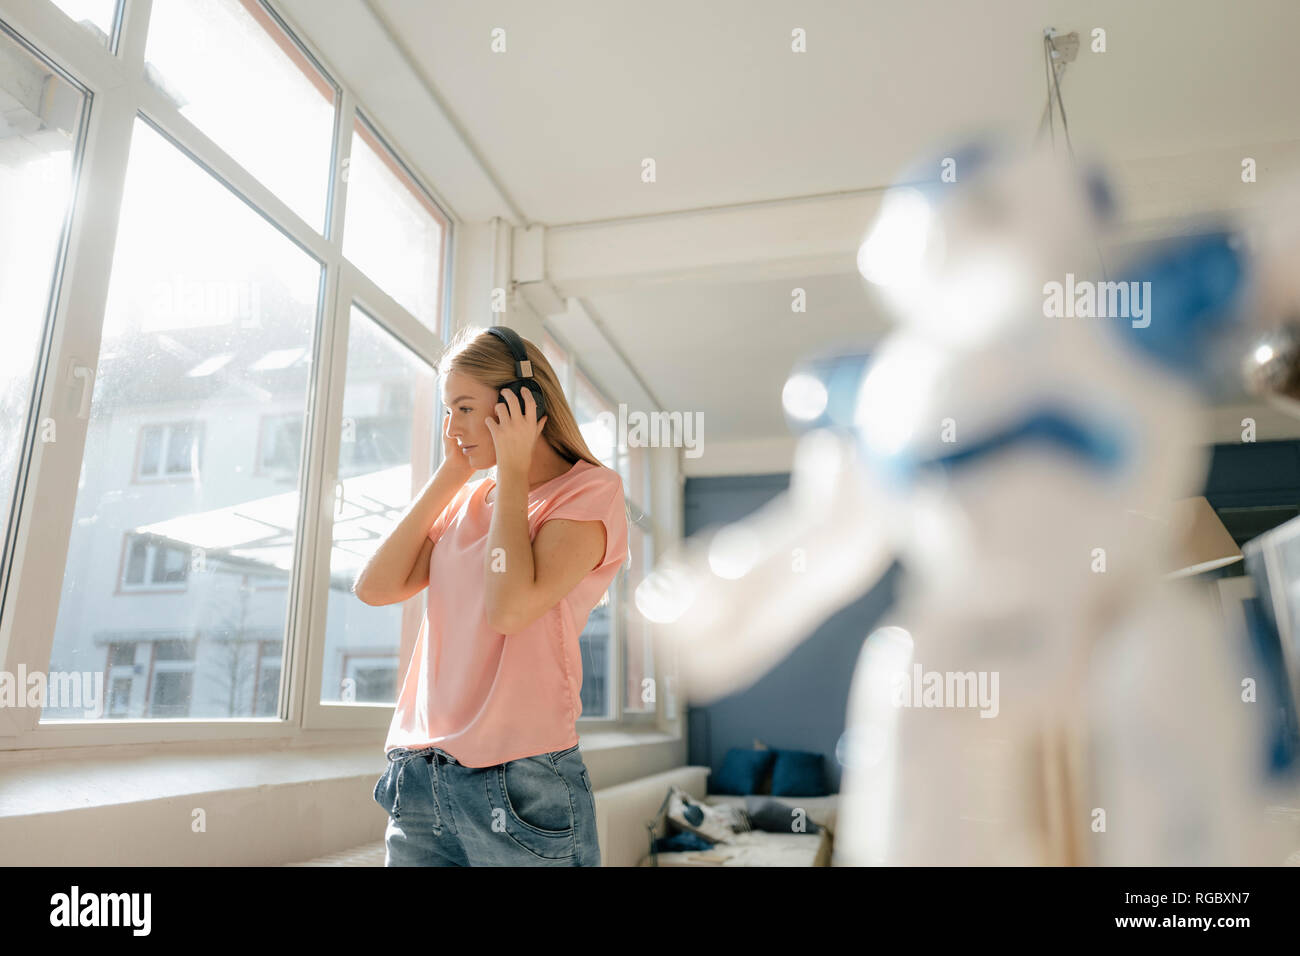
<point>713,93</point>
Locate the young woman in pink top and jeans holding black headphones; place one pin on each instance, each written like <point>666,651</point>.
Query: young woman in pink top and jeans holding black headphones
<point>484,763</point>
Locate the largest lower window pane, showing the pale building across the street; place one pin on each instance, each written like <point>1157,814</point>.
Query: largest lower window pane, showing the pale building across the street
<point>184,236</point>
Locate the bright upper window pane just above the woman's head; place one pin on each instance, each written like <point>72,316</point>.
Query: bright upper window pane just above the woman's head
<point>393,232</point>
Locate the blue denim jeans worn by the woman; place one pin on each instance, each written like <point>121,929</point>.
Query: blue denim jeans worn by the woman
<point>530,812</point>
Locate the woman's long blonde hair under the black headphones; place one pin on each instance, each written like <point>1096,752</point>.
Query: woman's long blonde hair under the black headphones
<point>483,357</point>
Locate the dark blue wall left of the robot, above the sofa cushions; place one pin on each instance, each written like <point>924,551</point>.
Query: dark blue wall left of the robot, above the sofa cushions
<point>801,703</point>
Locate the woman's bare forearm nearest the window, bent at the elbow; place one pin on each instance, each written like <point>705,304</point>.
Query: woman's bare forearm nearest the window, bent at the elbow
<point>400,568</point>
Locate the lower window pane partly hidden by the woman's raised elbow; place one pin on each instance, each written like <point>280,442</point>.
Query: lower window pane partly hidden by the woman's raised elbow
<point>385,458</point>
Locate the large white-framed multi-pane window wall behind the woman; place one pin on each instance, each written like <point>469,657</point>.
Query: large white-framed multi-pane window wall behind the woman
<point>216,397</point>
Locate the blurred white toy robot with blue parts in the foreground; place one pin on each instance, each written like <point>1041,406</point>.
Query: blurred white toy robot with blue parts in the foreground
<point>1045,694</point>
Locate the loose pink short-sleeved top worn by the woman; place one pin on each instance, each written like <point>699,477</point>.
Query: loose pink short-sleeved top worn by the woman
<point>487,698</point>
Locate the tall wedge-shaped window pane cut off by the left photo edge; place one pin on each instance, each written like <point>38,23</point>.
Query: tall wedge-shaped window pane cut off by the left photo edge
<point>40,123</point>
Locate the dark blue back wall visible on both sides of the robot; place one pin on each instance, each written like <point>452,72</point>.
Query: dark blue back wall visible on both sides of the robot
<point>801,703</point>
